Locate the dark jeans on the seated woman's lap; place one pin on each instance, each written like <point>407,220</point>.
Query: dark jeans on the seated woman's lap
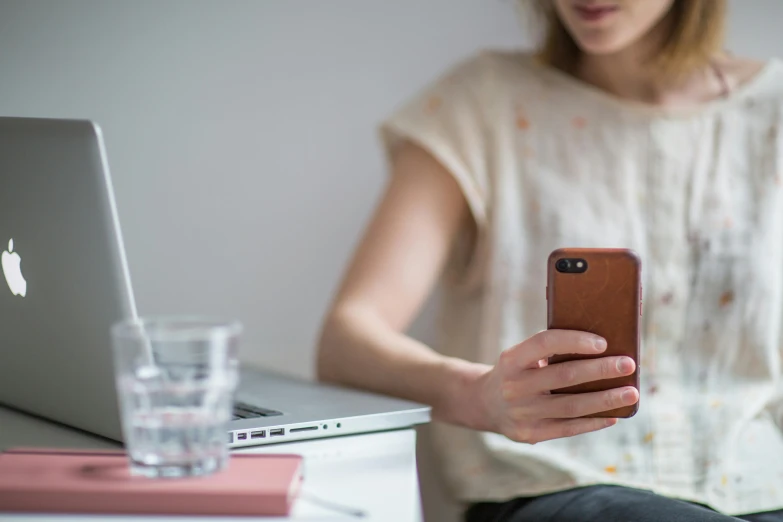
<point>604,504</point>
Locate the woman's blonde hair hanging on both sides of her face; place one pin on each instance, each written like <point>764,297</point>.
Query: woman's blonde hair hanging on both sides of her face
<point>696,35</point>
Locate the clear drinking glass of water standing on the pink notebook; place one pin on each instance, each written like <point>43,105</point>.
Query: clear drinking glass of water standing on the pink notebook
<point>176,379</point>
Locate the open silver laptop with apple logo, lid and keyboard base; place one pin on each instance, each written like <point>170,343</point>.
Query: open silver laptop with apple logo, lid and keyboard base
<point>64,281</point>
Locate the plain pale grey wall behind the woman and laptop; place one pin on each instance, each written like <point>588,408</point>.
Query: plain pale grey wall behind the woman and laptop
<point>242,135</point>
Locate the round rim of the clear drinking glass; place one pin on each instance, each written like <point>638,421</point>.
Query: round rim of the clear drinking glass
<point>176,328</point>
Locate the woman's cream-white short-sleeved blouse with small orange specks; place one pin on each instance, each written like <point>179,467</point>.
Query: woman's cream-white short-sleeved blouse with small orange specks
<point>546,161</point>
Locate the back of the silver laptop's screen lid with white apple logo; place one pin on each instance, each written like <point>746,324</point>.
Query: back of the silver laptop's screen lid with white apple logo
<point>63,275</point>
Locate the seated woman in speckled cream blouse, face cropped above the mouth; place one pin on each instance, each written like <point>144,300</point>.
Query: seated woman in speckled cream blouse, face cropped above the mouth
<point>631,128</point>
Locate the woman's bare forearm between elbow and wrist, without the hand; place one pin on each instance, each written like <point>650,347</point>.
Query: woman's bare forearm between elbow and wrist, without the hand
<point>358,349</point>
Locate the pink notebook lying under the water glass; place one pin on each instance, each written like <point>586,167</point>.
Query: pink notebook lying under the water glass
<point>75,481</point>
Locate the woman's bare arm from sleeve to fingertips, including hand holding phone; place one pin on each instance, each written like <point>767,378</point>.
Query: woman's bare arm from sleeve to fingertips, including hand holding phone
<point>393,271</point>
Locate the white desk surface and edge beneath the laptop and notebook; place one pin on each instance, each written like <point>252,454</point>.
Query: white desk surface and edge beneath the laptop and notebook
<point>374,473</point>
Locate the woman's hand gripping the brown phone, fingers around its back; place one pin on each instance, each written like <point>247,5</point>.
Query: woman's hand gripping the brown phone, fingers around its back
<point>515,393</point>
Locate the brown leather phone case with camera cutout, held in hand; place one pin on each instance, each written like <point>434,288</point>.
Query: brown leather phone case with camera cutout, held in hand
<point>604,297</point>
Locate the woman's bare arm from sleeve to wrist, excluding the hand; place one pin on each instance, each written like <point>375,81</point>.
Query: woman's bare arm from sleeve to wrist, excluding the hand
<point>392,273</point>
